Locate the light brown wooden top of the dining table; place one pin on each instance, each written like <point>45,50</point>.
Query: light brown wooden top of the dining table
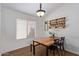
<point>45,41</point>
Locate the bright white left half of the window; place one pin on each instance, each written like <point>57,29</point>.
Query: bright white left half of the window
<point>21,27</point>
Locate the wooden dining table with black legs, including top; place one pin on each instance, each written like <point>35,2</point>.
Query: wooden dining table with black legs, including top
<point>47,41</point>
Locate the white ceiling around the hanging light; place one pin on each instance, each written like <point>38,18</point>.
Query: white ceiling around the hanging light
<point>31,8</point>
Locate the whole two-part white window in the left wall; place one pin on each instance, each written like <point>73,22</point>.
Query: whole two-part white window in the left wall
<point>25,29</point>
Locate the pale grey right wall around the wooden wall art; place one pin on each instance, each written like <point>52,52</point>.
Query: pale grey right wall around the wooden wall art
<point>71,32</point>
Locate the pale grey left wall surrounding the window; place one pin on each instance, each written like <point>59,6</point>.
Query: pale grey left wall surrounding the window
<point>8,28</point>
